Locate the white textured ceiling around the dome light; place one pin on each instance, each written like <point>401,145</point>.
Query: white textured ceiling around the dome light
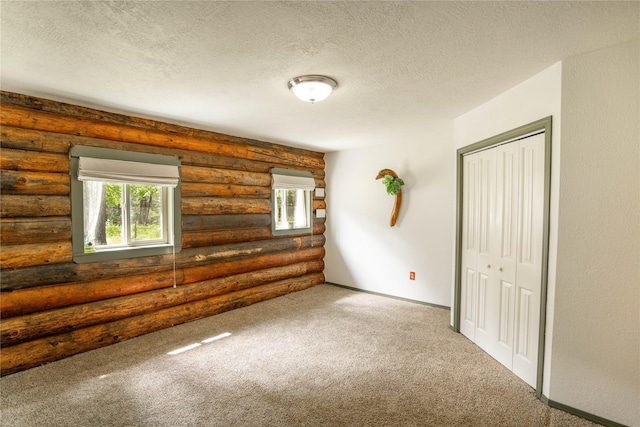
<point>402,67</point>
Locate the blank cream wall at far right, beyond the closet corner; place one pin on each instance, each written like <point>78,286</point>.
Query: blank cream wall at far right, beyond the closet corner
<point>596,346</point>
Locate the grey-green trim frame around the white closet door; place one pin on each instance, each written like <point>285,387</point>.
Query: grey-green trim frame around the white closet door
<point>542,125</point>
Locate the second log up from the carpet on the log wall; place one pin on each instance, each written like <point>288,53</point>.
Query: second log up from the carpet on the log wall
<point>17,330</point>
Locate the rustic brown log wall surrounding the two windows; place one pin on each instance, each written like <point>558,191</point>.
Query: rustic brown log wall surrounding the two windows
<point>52,308</point>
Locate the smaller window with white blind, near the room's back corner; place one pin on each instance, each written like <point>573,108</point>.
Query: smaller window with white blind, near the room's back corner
<point>291,201</point>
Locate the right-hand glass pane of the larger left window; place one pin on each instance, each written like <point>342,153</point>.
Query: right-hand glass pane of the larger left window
<point>145,213</point>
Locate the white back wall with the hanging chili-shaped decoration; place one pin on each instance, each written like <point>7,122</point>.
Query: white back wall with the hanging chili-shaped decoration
<point>362,250</point>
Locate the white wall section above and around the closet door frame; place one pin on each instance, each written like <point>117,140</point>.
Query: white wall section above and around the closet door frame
<point>534,99</point>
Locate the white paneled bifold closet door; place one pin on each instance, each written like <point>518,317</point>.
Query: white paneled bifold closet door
<point>503,192</point>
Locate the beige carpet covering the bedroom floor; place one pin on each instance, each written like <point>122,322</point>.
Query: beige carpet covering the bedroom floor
<point>326,356</point>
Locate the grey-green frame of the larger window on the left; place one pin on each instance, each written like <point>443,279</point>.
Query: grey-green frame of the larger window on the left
<point>173,209</point>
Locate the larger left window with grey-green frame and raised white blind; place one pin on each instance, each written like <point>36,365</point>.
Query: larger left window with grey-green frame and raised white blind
<point>124,204</point>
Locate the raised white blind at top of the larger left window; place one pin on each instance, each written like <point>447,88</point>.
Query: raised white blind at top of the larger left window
<point>93,169</point>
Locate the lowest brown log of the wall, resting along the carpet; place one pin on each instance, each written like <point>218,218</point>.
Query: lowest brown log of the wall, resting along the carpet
<point>44,350</point>
